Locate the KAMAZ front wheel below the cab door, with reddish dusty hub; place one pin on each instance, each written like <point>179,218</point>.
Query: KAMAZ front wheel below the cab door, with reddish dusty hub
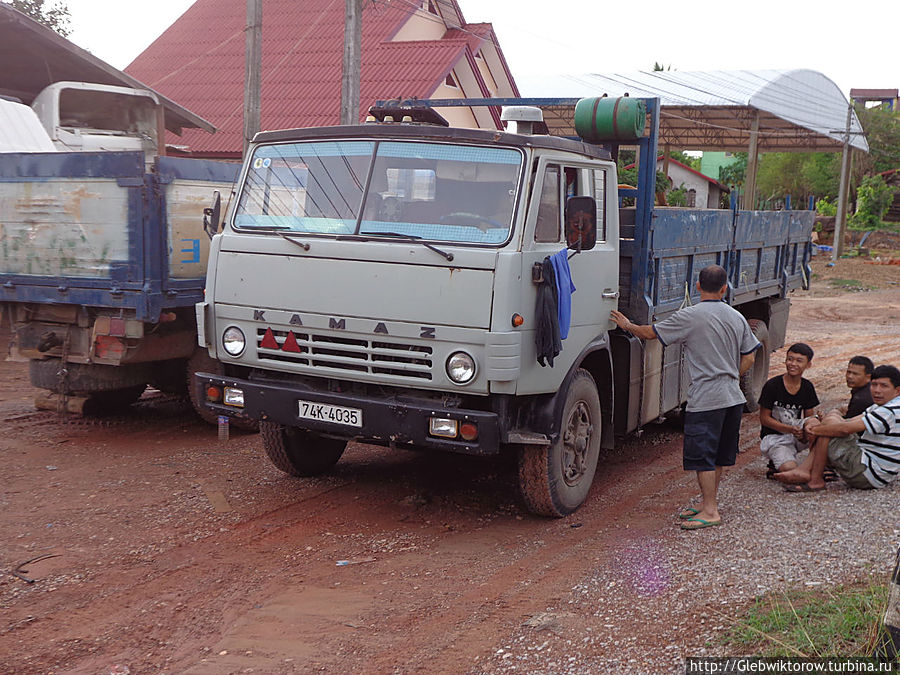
<point>554,480</point>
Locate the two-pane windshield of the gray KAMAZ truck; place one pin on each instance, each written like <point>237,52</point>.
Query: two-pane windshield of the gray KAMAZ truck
<point>432,191</point>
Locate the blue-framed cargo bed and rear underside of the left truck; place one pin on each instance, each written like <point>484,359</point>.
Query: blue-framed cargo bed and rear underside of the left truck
<point>102,259</point>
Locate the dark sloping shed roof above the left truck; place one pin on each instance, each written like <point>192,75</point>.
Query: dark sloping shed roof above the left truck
<point>34,56</point>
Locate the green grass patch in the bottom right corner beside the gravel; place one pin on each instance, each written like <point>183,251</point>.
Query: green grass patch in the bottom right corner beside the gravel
<point>843,621</point>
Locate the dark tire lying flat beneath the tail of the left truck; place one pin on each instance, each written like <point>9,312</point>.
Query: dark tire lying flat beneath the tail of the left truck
<point>86,378</point>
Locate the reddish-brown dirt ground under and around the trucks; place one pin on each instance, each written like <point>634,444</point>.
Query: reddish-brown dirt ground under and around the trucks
<point>174,552</point>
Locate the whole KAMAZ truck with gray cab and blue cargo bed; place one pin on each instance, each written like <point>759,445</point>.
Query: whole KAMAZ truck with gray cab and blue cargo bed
<point>388,283</point>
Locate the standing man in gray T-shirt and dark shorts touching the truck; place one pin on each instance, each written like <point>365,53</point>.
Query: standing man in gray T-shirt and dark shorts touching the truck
<point>719,347</point>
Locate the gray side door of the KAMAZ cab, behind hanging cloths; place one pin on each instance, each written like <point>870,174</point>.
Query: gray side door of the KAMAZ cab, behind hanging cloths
<point>594,272</point>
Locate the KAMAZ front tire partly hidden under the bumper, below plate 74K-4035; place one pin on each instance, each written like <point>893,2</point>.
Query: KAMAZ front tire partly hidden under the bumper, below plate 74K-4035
<point>298,452</point>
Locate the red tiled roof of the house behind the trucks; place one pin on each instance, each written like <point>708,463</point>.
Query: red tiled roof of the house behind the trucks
<point>199,62</point>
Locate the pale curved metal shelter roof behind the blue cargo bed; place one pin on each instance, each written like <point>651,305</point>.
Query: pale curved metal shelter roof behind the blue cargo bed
<point>798,110</point>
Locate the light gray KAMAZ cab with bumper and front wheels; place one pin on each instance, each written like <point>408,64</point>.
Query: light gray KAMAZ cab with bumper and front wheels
<point>381,282</point>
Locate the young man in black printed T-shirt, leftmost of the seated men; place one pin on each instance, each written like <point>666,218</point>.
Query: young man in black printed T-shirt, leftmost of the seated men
<point>785,403</point>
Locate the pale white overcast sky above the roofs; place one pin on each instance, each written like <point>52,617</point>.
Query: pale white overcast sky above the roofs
<point>854,44</point>
